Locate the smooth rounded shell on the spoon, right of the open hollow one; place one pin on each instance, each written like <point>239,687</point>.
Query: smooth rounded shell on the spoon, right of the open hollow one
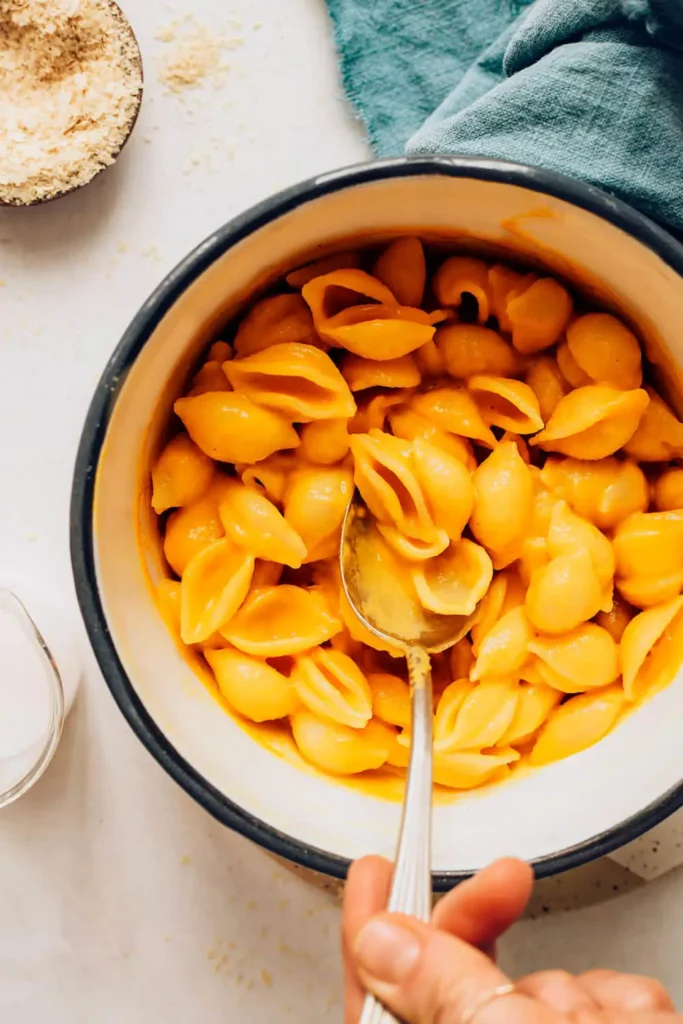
<point>447,485</point>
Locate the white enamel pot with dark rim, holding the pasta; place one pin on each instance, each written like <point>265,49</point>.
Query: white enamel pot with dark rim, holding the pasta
<point>557,818</point>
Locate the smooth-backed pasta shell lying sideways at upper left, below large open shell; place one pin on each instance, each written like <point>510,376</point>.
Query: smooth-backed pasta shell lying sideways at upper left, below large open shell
<point>231,429</point>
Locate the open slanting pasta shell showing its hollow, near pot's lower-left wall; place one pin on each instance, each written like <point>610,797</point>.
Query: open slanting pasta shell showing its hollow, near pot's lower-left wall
<point>215,585</point>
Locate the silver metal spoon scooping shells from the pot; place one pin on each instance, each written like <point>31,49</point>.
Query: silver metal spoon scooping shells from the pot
<point>378,595</point>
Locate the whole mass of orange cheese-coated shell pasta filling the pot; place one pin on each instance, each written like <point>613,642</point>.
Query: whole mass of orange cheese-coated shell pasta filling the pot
<point>519,461</point>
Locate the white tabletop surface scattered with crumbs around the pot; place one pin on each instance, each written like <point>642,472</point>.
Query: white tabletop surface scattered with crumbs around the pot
<point>120,900</point>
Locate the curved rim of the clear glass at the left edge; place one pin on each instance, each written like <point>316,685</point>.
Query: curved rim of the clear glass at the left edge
<point>14,606</point>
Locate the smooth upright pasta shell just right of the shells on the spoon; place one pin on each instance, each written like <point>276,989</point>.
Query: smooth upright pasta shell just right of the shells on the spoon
<point>503,504</point>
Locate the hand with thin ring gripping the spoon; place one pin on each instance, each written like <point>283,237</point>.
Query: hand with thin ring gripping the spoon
<point>445,972</point>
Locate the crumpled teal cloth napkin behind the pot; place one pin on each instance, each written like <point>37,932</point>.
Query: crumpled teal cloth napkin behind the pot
<point>590,89</point>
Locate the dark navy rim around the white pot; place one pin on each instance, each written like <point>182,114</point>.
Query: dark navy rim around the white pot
<point>225,810</point>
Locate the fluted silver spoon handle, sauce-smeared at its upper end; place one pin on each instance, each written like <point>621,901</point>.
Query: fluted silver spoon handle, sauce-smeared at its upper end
<point>411,888</point>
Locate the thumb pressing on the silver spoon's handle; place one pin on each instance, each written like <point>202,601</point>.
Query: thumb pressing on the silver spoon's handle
<point>425,976</point>
